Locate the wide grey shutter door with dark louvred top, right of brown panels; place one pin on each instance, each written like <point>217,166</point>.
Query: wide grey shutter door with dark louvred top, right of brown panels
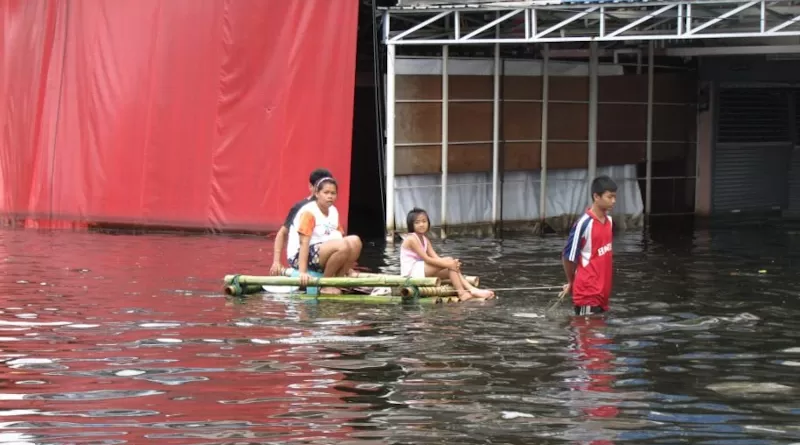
<point>753,150</point>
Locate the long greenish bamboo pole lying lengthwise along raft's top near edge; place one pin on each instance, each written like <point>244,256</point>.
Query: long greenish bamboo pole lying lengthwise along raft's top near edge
<point>383,281</point>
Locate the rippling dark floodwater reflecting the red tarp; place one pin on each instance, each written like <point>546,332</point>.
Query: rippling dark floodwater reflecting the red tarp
<point>123,339</point>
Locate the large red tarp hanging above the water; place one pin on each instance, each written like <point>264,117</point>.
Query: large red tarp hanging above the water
<point>192,113</point>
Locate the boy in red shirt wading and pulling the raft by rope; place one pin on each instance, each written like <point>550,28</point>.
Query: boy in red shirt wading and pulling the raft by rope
<point>587,257</point>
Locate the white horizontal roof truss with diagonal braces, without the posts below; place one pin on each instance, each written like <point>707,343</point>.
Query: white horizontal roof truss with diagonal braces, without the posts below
<point>534,22</point>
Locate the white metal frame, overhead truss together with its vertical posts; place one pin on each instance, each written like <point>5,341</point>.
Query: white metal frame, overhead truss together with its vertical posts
<point>674,23</point>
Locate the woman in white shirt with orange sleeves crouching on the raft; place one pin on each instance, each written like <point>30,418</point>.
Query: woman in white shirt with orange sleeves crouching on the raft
<point>316,240</point>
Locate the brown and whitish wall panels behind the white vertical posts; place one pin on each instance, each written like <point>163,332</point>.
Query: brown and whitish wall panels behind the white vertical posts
<point>621,138</point>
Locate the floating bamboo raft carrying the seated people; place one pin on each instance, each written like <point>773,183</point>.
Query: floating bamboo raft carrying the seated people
<point>429,290</point>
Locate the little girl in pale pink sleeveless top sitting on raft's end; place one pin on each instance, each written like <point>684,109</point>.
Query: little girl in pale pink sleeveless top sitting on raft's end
<point>418,259</point>
